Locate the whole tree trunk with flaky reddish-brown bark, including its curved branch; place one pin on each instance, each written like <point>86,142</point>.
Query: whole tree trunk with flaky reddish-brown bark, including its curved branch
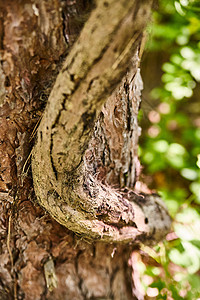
<point>84,159</point>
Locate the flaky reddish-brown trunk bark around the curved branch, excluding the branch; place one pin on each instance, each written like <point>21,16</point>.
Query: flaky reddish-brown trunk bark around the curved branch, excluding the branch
<point>39,258</point>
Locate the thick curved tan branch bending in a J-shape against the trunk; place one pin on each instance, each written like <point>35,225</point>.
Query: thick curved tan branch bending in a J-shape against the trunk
<point>63,182</point>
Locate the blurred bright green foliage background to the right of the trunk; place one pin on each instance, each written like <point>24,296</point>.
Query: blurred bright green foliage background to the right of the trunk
<point>170,147</point>
